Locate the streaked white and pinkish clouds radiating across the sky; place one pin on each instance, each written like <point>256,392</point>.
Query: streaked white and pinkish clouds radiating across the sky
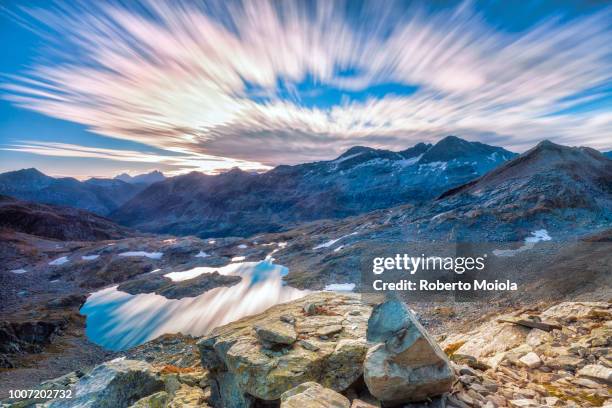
<point>178,80</point>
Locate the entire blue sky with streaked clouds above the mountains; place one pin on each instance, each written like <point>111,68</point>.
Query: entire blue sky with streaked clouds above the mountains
<point>94,90</point>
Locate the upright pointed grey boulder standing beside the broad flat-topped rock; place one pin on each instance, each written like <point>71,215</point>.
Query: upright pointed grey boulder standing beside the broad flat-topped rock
<point>405,364</point>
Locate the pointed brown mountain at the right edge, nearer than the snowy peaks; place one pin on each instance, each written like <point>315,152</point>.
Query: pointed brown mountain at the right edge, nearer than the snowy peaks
<point>547,186</point>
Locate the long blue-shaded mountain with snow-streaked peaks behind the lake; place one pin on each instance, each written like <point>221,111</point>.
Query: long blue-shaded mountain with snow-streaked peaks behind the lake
<point>362,179</point>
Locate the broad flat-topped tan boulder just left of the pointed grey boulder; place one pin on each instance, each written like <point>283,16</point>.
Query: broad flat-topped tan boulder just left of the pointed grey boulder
<point>260,357</point>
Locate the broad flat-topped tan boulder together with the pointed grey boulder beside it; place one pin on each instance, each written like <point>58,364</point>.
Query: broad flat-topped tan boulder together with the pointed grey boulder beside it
<point>318,345</point>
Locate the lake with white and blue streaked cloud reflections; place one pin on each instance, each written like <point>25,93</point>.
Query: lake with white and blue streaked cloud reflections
<point>117,320</point>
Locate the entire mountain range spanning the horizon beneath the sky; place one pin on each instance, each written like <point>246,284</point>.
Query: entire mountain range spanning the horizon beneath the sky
<point>448,189</point>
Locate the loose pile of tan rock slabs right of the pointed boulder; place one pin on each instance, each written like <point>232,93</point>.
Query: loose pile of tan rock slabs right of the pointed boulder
<point>505,364</point>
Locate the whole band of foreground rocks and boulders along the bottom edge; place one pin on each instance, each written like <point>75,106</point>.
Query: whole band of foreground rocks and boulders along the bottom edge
<point>332,350</point>
